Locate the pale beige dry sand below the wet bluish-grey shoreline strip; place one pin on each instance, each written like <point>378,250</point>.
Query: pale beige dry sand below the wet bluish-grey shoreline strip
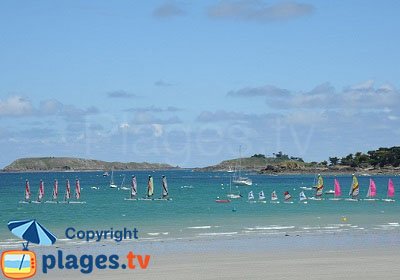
<point>365,263</point>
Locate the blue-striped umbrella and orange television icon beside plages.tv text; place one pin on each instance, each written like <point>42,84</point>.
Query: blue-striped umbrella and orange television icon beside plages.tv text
<point>21,264</point>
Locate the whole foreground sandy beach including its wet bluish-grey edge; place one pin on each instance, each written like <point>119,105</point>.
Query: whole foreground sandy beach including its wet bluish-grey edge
<point>238,258</point>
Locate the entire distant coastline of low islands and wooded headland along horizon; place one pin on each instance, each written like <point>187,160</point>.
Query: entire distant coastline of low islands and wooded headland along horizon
<point>380,161</point>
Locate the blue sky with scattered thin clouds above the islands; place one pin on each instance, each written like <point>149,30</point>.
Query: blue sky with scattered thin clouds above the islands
<point>188,82</point>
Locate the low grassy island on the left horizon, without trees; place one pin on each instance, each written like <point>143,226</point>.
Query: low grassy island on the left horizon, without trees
<point>78,164</point>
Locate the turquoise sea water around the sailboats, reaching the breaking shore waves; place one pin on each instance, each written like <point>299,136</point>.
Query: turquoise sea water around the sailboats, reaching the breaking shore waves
<point>193,212</point>
